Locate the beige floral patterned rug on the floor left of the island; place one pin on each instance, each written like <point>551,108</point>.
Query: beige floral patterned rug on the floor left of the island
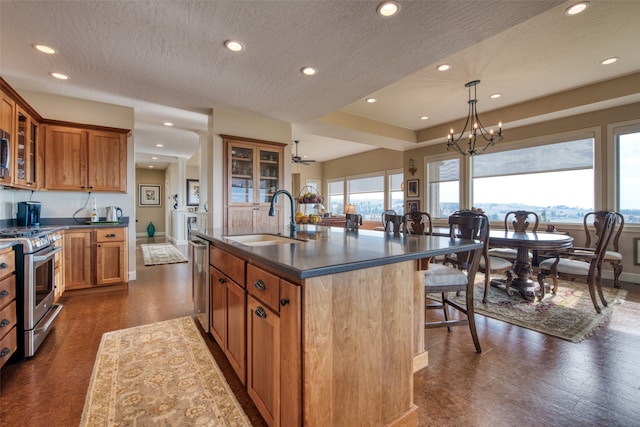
<point>160,374</point>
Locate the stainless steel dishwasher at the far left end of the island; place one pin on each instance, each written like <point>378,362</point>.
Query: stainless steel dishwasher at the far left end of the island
<point>200,280</point>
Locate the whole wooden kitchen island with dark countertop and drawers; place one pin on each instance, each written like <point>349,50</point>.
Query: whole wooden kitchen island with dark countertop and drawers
<point>333,321</point>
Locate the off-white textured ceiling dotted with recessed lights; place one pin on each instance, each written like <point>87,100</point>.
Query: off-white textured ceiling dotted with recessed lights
<point>166,60</point>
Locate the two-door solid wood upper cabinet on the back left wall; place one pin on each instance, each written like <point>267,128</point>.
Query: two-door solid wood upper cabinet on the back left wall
<point>85,159</point>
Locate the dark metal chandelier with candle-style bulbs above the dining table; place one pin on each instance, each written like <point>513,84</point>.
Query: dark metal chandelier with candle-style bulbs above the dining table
<point>475,129</point>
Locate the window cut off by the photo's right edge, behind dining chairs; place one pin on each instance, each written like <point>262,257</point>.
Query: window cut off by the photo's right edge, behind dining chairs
<point>628,176</point>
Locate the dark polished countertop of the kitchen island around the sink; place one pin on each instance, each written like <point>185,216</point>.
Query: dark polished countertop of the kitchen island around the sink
<point>330,250</point>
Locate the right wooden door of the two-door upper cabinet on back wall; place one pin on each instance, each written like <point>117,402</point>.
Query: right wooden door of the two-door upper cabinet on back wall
<point>107,161</point>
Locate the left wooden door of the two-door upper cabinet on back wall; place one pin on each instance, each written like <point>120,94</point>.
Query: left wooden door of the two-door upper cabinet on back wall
<point>66,158</point>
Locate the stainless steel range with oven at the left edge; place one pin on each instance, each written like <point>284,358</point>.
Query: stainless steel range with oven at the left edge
<point>36,291</point>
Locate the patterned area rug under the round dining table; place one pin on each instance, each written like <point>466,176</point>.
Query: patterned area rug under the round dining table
<point>568,315</point>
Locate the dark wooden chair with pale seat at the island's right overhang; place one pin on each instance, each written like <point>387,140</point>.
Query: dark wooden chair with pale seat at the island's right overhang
<point>457,274</point>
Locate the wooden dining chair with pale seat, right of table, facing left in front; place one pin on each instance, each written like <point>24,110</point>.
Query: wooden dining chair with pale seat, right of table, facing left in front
<point>577,263</point>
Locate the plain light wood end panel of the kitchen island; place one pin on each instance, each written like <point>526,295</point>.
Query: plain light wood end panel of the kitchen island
<point>357,347</point>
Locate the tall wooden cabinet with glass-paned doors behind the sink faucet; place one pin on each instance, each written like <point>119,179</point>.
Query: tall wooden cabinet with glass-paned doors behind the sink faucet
<point>254,172</point>
